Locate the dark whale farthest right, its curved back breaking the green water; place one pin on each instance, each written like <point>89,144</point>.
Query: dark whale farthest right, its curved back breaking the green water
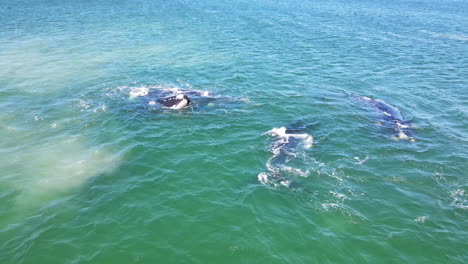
<point>393,117</point>
